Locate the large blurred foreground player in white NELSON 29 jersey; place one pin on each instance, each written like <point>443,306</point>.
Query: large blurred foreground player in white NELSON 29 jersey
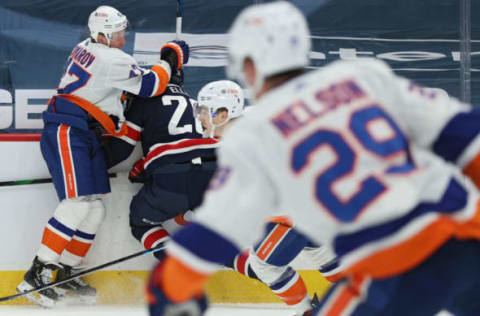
<point>363,161</point>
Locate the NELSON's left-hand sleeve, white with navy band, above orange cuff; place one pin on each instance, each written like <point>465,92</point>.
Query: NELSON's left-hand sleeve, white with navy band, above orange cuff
<point>238,201</point>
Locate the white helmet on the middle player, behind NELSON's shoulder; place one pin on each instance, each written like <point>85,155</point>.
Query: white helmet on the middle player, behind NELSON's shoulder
<point>222,94</point>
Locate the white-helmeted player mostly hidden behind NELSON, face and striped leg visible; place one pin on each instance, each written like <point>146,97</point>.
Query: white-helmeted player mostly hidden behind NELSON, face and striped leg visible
<point>220,103</point>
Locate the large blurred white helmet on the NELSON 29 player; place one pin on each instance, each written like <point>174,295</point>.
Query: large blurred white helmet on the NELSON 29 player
<point>274,35</point>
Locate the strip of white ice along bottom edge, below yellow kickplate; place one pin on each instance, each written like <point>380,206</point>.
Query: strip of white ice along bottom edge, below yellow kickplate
<point>217,310</point>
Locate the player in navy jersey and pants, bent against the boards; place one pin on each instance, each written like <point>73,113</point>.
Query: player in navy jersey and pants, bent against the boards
<point>178,161</point>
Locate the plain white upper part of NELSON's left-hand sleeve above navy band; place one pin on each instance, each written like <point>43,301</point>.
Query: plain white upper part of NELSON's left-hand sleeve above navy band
<point>241,192</point>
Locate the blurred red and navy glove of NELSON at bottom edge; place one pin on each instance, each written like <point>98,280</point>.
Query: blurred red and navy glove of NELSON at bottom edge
<point>160,305</point>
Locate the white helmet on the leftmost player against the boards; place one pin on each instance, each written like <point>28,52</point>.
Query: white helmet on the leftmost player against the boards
<point>106,20</point>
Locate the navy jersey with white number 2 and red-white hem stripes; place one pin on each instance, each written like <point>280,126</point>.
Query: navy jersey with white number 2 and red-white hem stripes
<point>167,128</point>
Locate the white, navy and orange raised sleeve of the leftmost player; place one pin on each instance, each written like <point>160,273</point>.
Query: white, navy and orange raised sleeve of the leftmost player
<point>125,74</point>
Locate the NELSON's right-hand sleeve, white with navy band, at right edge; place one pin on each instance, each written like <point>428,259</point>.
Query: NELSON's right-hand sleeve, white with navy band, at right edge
<point>435,121</point>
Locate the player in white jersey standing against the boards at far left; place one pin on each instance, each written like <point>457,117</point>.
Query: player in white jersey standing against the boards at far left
<point>88,100</point>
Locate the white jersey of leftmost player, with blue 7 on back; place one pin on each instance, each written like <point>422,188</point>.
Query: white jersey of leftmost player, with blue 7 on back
<point>99,74</point>
